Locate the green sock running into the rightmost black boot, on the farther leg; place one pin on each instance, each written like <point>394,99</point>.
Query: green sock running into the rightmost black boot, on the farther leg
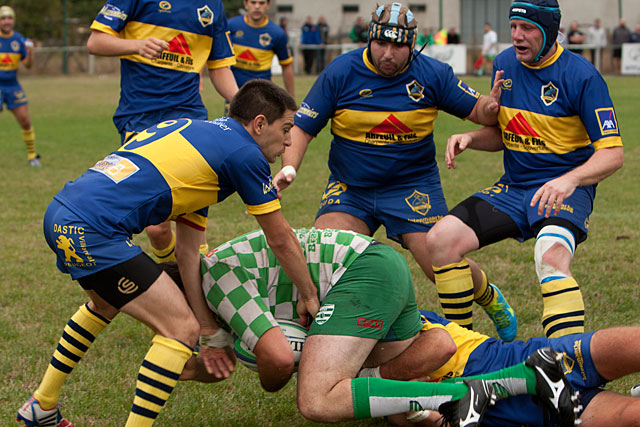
<point>508,382</point>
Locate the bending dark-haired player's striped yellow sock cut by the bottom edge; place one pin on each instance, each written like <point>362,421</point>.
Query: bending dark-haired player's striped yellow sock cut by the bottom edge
<point>157,377</point>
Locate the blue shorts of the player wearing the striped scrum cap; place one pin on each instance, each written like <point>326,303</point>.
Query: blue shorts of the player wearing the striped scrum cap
<point>405,208</point>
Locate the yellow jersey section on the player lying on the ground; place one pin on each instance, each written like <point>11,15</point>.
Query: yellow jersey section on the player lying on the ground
<point>466,340</point>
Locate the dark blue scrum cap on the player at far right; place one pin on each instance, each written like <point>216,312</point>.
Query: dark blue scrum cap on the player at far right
<point>545,14</point>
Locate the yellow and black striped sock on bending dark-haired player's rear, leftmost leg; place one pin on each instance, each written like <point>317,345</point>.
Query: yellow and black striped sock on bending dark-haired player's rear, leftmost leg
<point>77,337</point>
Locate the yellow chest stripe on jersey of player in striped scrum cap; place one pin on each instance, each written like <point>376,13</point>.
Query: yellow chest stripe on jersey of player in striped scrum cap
<point>384,127</point>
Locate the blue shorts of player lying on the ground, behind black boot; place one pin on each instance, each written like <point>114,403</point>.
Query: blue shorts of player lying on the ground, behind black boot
<point>579,369</point>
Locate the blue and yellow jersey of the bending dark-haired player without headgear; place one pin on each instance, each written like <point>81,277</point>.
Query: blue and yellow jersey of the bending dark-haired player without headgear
<point>173,170</point>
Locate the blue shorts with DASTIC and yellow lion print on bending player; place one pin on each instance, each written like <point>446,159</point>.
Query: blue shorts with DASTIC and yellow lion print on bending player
<point>80,250</point>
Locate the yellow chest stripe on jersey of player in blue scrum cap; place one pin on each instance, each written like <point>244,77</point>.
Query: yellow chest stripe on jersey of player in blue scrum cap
<point>526,131</point>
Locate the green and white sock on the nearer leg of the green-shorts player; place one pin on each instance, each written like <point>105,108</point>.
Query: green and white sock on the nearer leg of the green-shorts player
<point>375,397</point>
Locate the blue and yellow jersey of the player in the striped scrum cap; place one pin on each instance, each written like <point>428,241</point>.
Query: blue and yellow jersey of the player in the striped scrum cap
<point>382,127</point>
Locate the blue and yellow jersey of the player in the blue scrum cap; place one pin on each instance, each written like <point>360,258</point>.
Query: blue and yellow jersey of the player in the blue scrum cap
<point>553,116</point>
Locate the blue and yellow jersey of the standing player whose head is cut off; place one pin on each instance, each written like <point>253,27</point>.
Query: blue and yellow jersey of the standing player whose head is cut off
<point>197,35</point>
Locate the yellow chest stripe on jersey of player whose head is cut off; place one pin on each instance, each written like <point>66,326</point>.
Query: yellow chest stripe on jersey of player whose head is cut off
<point>180,55</point>
